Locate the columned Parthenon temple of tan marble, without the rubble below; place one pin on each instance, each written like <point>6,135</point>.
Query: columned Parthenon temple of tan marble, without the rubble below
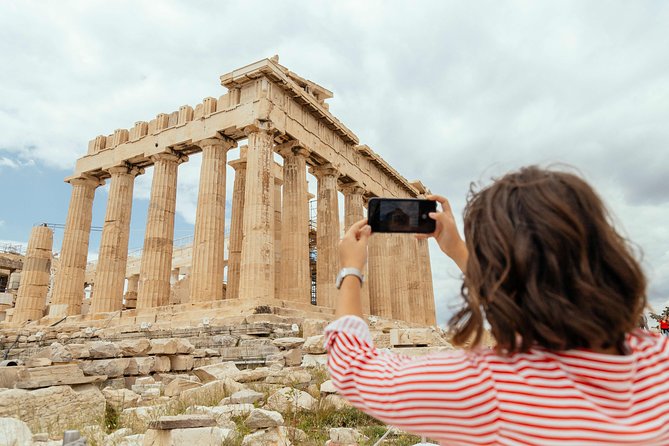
<point>267,110</point>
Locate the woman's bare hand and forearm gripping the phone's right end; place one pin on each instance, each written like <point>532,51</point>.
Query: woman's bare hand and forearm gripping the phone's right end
<point>446,233</point>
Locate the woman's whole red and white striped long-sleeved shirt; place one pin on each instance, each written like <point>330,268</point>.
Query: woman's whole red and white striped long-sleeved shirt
<point>478,397</point>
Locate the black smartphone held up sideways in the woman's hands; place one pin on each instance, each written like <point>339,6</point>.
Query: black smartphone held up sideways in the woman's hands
<point>401,215</point>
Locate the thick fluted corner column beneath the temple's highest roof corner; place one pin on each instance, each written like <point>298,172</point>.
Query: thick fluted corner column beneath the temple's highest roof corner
<point>256,278</point>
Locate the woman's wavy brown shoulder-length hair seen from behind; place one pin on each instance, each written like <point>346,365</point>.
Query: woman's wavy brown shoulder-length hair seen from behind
<point>546,267</point>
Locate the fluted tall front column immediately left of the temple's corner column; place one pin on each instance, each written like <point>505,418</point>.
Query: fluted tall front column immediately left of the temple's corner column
<point>208,270</point>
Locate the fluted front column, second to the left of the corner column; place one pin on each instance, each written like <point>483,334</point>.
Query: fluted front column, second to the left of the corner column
<point>156,265</point>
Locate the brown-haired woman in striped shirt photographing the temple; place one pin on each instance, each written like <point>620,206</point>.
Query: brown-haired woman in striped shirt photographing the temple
<point>562,294</point>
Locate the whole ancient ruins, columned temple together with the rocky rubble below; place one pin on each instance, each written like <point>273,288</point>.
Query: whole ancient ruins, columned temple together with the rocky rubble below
<point>178,343</point>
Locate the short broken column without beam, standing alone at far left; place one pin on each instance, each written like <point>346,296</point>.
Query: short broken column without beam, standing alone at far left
<point>35,276</point>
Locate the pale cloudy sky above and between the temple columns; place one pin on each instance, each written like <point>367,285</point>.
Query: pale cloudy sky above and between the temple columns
<point>446,92</point>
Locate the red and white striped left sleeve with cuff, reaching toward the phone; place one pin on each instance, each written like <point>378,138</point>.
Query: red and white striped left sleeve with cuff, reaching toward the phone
<point>448,395</point>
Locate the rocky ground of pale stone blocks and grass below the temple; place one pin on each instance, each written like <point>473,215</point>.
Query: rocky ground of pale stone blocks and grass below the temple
<point>176,391</point>
